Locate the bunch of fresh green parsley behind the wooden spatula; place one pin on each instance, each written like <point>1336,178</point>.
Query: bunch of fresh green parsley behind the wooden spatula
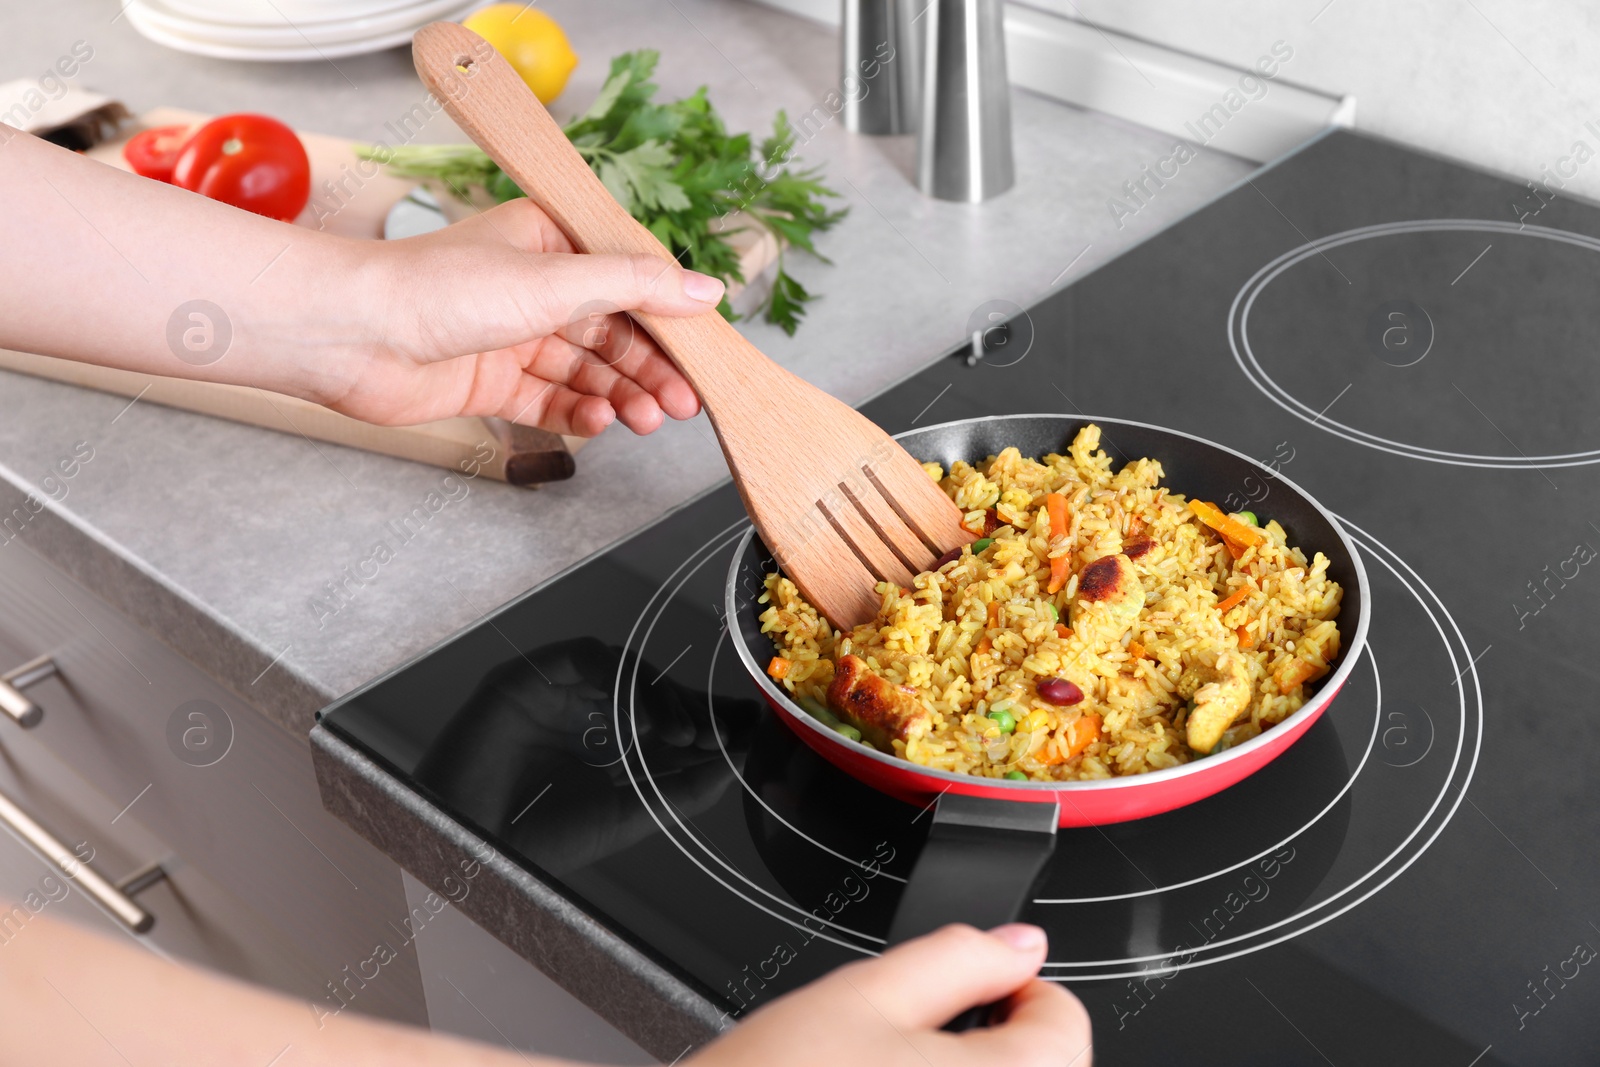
<point>678,170</point>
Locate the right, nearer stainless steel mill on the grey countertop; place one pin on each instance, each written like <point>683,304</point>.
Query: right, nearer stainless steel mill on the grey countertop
<point>964,134</point>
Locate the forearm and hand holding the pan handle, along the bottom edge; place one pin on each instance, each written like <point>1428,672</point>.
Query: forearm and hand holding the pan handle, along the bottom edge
<point>876,1013</point>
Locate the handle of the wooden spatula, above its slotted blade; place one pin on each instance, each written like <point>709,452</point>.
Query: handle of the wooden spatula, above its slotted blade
<point>502,114</point>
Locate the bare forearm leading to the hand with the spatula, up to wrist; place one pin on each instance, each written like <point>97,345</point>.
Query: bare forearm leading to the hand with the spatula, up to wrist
<point>116,270</point>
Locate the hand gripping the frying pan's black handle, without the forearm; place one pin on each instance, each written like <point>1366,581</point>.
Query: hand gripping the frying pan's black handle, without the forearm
<point>889,1012</point>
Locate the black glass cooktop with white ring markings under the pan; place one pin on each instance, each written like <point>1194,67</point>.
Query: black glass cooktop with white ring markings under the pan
<point>1415,882</point>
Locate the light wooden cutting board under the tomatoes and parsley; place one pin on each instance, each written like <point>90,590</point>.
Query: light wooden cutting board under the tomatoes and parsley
<point>348,199</point>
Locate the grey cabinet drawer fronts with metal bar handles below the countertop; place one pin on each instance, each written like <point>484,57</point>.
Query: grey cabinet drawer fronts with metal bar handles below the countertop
<point>142,759</point>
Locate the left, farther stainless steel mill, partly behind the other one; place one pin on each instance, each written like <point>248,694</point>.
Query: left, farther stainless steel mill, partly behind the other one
<point>878,66</point>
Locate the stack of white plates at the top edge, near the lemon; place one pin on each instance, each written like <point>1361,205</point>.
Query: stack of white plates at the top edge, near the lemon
<point>289,30</point>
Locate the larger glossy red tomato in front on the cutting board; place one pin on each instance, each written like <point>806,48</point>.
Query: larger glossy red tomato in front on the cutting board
<point>250,162</point>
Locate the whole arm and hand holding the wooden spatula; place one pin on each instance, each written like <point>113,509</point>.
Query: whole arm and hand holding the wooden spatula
<point>494,316</point>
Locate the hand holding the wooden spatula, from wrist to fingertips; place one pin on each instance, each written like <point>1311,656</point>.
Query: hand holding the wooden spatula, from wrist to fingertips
<point>497,316</point>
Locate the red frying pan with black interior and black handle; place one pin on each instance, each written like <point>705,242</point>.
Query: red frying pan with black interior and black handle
<point>991,837</point>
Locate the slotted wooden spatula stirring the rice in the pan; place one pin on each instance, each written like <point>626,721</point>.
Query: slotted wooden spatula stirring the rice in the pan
<point>838,502</point>
